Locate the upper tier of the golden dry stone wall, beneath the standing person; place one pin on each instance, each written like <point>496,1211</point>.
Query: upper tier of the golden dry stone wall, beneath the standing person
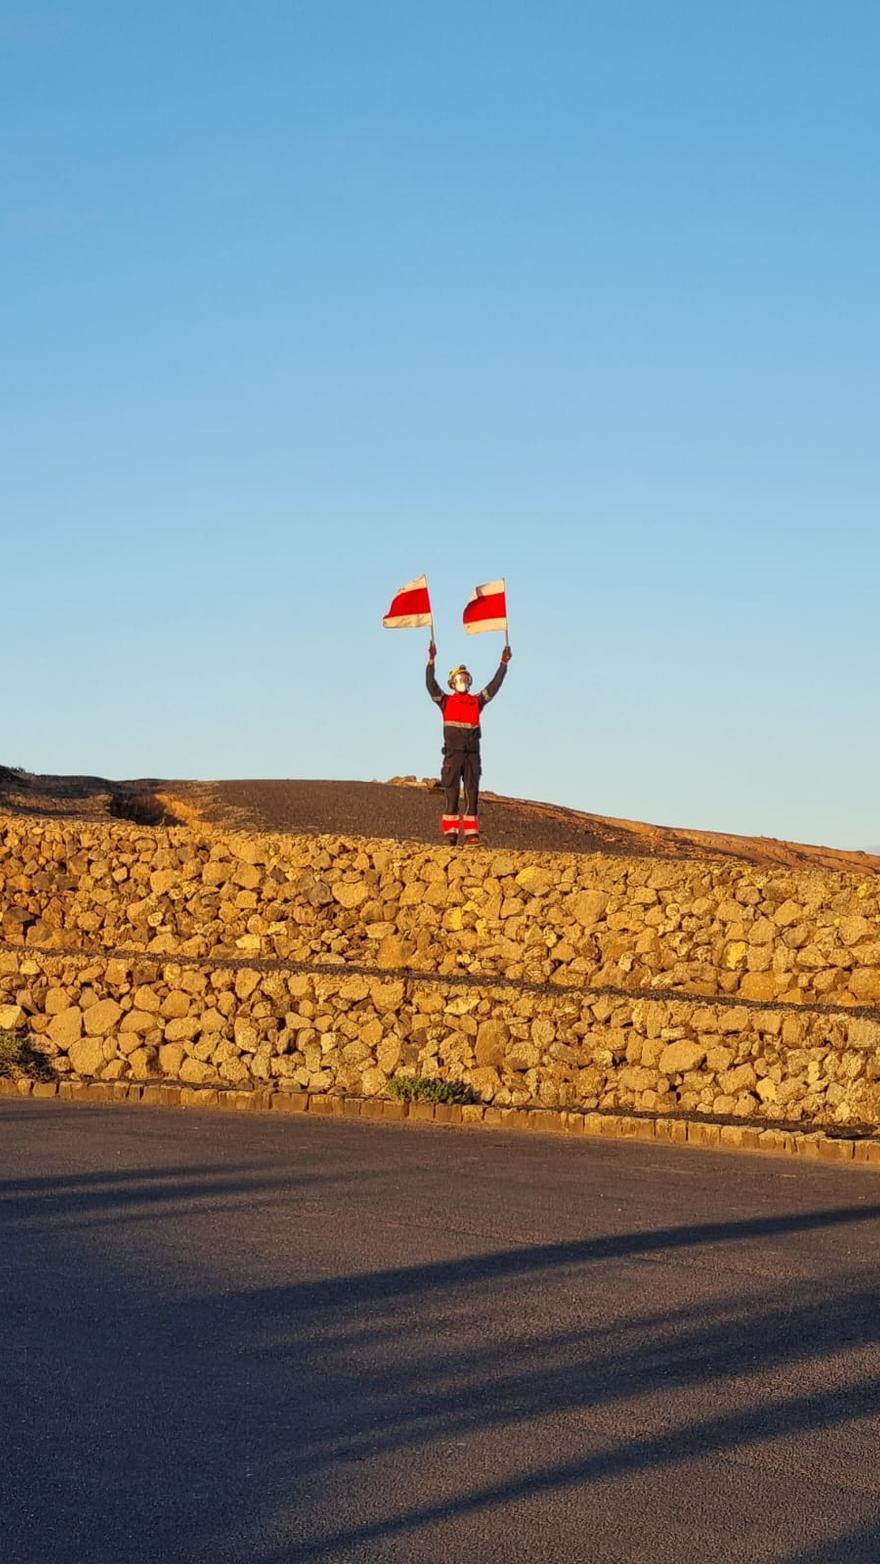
<point>712,928</point>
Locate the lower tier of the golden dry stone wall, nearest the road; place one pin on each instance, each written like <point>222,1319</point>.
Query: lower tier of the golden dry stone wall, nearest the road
<point>351,1031</point>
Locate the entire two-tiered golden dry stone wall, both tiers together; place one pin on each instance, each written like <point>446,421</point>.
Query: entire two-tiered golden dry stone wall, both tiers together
<point>331,966</point>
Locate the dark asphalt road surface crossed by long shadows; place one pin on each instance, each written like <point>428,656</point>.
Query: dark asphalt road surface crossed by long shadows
<point>232,1338</point>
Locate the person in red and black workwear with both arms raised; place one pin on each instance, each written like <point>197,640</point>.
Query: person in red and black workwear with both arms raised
<point>462,734</point>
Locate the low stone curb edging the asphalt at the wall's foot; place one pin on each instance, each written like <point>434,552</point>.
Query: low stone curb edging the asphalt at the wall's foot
<point>543,1121</point>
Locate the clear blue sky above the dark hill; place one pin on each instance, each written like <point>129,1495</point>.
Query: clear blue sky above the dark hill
<point>304,300</point>
